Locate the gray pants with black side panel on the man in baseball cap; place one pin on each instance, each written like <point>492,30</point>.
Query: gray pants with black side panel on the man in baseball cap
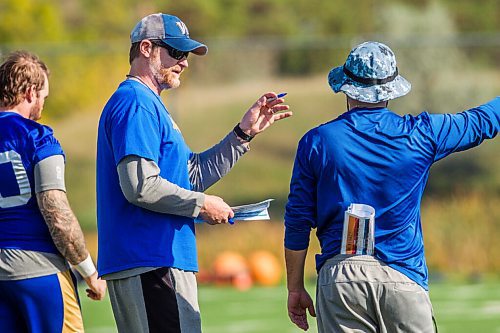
<point>161,300</point>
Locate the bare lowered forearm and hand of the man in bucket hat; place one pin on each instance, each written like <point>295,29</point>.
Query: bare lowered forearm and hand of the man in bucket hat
<point>298,298</point>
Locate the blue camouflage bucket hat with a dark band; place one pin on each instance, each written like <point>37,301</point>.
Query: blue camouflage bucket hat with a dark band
<point>369,74</point>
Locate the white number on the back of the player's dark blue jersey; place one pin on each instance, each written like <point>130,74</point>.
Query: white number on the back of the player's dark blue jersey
<point>23,182</point>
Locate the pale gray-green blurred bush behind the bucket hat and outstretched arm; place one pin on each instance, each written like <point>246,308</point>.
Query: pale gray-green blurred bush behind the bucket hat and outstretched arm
<point>435,66</point>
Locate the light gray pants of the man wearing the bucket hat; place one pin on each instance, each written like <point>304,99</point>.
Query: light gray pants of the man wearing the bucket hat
<point>362,294</point>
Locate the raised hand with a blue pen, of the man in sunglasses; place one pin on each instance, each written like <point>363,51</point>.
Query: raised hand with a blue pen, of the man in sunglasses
<point>263,113</point>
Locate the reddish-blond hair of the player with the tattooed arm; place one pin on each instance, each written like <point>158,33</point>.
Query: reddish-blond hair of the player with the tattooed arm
<point>20,71</point>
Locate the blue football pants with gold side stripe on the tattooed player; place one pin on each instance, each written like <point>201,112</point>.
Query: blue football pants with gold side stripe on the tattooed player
<point>47,304</point>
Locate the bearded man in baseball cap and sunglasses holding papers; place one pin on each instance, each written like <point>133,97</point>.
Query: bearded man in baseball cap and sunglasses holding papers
<point>150,184</point>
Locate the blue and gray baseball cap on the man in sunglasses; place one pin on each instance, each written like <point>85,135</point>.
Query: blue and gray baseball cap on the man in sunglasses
<point>170,30</point>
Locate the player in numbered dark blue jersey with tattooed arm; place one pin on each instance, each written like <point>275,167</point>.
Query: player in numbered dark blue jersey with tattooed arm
<point>39,234</point>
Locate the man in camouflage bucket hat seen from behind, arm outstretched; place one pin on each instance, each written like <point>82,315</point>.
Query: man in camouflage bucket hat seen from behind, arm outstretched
<point>374,157</point>
